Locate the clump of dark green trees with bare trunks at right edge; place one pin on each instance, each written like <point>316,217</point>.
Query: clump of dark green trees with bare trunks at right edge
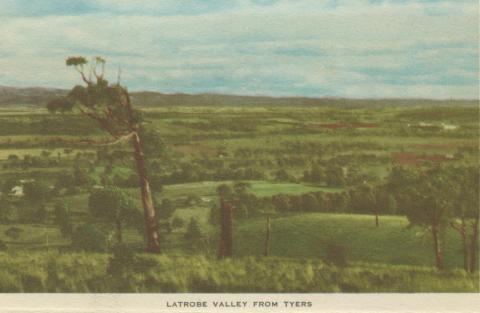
<point>438,198</point>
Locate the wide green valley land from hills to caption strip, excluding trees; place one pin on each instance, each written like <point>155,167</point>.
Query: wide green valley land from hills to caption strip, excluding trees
<point>308,168</point>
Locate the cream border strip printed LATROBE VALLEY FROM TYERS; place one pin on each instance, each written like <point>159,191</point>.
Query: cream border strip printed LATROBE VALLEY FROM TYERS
<point>152,303</point>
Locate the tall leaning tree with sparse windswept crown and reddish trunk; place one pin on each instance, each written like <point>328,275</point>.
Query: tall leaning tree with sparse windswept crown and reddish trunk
<point>109,105</point>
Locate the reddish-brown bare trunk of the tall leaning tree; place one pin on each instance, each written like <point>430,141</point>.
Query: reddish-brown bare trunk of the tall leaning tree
<point>153,244</point>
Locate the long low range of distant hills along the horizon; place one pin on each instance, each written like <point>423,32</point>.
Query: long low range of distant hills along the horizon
<point>37,96</point>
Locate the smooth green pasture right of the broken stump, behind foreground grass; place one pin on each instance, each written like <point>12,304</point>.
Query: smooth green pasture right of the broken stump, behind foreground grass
<point>307,235</point>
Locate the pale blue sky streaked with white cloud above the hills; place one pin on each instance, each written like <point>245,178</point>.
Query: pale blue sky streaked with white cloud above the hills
<point>312,48</point>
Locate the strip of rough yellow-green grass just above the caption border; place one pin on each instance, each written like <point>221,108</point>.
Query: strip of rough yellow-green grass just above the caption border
<point>81,272</point>
